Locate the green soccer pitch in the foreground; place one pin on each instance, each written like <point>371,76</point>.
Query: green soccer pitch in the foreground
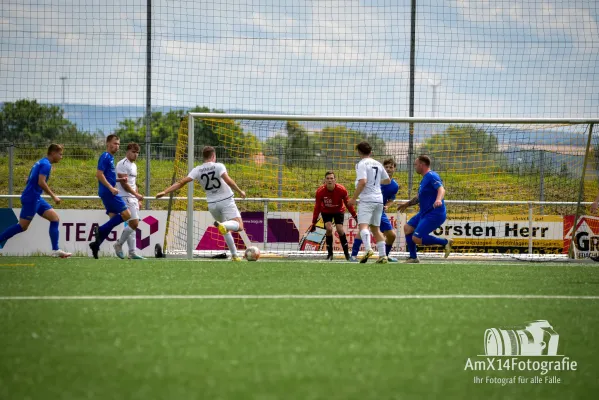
<point>111,329</point>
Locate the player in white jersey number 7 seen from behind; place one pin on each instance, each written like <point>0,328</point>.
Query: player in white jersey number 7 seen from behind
<point>370,174</point>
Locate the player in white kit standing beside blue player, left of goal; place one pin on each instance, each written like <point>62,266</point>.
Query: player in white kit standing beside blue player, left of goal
<point>126,168</point>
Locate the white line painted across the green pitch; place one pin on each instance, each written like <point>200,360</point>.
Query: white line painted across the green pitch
<point>305,297</point>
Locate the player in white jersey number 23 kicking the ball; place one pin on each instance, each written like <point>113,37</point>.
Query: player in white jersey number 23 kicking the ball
<point>217,184</point>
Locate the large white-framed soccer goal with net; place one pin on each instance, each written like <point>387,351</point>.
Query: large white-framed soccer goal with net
<point>515,187</point>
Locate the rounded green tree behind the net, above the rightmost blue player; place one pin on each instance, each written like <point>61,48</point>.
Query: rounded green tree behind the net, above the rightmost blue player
<point>463,148</point>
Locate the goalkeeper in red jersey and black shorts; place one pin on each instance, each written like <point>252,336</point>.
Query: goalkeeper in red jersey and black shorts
<point>331,199</point>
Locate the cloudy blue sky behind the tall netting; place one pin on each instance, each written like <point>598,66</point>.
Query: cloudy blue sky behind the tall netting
<point>536,58</point>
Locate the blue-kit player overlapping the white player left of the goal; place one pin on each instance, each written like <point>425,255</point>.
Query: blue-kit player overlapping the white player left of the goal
<point>115,206</point>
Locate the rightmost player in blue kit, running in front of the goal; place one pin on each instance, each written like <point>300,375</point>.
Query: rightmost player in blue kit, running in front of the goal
<point>432,212</point>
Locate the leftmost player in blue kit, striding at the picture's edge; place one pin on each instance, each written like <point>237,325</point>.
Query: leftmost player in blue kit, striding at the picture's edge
<point>32,202</point>
